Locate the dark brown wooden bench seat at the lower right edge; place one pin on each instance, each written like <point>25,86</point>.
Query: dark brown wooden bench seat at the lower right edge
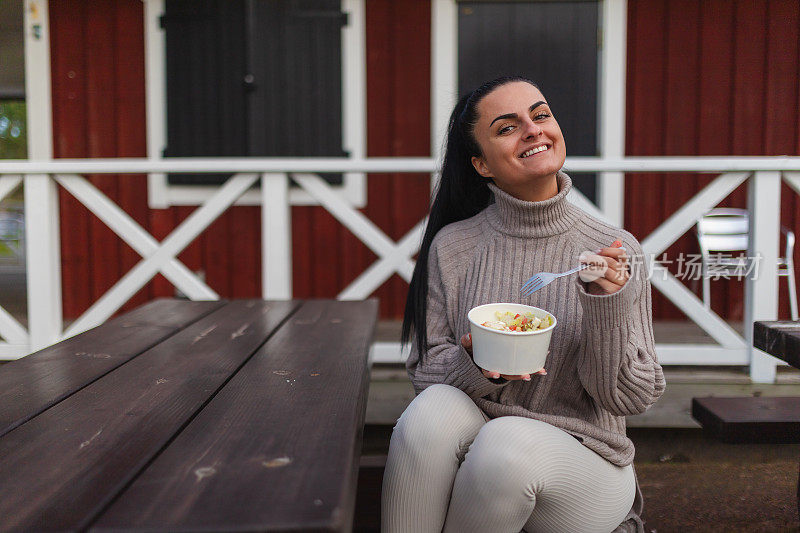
<point>750,419</point>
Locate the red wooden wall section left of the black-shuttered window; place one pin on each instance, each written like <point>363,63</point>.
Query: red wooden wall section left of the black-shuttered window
<point>98,111</point>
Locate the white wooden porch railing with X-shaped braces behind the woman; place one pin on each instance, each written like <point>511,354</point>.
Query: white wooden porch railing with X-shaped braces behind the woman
<point>41,179</point>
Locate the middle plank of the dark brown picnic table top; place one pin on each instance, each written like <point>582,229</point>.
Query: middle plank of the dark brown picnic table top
<point>60,469</point>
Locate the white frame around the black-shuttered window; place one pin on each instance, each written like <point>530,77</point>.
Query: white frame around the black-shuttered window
<point>161,194</point>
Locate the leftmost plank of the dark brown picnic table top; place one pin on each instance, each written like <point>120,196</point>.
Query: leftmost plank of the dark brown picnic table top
<point>33,383</point>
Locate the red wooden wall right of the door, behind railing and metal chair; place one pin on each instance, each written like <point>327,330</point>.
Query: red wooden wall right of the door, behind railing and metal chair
<point>717,77</point>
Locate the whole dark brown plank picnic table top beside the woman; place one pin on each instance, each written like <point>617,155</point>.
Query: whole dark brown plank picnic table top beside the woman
<point>180,415</point>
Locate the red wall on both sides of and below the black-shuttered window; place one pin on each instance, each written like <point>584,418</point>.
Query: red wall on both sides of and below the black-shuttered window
<point>99,111</point>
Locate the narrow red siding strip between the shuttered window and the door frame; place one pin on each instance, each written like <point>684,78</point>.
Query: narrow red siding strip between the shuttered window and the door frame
<point>398,110</point>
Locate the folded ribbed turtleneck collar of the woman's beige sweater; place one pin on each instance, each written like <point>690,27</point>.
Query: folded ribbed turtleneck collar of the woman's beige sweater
<point>520,218</point>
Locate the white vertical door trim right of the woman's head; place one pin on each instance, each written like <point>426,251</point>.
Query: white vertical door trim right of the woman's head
<point>613,66</point>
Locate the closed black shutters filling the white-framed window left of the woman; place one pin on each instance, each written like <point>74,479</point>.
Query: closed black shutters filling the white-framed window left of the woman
<point>253,78</point>
